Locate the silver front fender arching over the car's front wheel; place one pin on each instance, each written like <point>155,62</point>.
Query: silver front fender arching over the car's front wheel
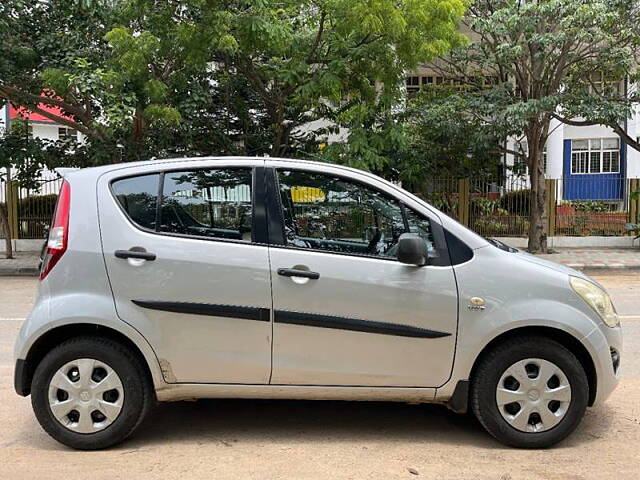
<point>523,295</point>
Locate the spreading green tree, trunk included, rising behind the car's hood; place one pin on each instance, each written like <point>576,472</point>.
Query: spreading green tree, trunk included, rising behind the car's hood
<point>527,63</point>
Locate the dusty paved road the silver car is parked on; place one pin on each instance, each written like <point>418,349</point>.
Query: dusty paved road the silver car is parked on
<point>326,440</point>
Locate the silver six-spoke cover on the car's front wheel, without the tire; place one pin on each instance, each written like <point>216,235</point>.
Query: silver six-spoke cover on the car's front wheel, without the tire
<point>533,395</point>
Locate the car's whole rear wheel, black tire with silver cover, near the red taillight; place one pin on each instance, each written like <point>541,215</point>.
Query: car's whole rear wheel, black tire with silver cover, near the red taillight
<point>125,405</point>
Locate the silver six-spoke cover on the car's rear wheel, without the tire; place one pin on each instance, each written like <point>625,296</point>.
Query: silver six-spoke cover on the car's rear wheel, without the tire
<point>86,395</point>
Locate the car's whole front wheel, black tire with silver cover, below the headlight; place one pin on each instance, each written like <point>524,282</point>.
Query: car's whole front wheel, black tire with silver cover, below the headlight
<point>521,357</point>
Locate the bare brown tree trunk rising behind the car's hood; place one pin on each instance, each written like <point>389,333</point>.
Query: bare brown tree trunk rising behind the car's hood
<point>538,214</point>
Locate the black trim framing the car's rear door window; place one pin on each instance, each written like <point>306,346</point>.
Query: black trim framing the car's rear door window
<point>258,216</point>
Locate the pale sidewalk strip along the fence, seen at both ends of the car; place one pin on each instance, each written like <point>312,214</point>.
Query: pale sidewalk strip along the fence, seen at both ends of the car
<point>26,263</point>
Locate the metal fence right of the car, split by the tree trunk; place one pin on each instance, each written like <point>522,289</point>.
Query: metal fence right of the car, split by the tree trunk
<point>577,206</point>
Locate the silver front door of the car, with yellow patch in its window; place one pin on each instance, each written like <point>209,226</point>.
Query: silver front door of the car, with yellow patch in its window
<point>346,312</point>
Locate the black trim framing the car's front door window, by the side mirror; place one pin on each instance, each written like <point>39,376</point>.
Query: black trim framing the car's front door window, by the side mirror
<point>442,260</point>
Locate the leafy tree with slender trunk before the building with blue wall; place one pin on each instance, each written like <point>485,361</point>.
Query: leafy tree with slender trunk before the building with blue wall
<point>526,62</point>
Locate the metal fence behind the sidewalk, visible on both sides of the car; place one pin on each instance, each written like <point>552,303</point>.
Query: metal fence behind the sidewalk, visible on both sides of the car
<point>578,206</point>
